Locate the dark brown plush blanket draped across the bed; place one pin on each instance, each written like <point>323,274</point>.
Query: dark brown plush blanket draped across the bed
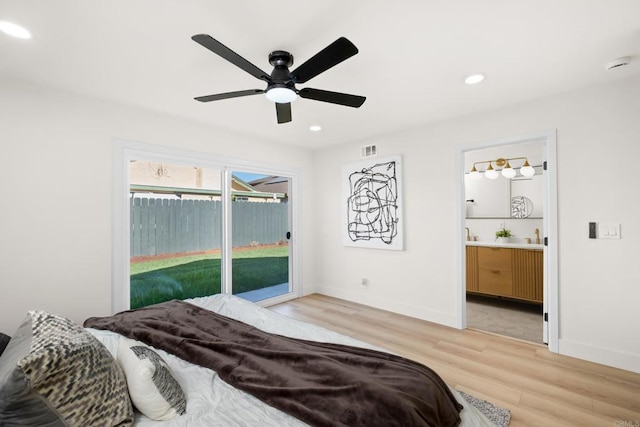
<point>319,383</point>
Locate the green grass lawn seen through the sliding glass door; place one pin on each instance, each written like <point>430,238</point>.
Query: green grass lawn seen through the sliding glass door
<point>199,275</point>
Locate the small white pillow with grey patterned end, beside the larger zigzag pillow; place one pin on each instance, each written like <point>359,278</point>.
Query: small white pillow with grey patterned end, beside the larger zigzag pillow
<point>153,390</point>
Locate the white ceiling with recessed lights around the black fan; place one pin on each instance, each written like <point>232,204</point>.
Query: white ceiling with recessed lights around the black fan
<point>414,56</point>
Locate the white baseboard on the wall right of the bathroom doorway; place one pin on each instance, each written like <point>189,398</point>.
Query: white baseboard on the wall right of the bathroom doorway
<point>603,356</point>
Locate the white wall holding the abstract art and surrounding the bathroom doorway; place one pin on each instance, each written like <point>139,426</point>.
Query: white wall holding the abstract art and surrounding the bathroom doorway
<point>598,134</point>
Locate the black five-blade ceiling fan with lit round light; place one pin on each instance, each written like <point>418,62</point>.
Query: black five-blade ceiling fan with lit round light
<point>281,84</point>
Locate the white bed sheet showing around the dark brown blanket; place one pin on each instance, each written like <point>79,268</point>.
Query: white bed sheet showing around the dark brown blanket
<point>212,402</point>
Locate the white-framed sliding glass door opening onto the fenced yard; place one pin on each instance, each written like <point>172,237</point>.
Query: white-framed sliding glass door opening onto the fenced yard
<point>194,228</point>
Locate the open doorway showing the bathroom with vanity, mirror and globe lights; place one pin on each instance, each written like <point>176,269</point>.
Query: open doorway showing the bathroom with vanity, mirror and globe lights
<point>510,287</point>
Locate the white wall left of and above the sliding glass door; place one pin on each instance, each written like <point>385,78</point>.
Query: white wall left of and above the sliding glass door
<point>56,186</point>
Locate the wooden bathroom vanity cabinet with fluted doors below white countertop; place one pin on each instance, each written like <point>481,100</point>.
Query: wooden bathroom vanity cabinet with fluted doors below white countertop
<point>505,272</point>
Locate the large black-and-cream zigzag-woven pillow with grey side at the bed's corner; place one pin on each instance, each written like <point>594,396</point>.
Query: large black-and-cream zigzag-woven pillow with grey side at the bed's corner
<point>55,373</point>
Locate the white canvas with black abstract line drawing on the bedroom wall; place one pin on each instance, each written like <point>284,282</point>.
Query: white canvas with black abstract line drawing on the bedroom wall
<point>372,203</point>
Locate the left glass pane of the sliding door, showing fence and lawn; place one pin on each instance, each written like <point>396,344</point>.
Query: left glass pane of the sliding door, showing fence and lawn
<point>175,229</point>
